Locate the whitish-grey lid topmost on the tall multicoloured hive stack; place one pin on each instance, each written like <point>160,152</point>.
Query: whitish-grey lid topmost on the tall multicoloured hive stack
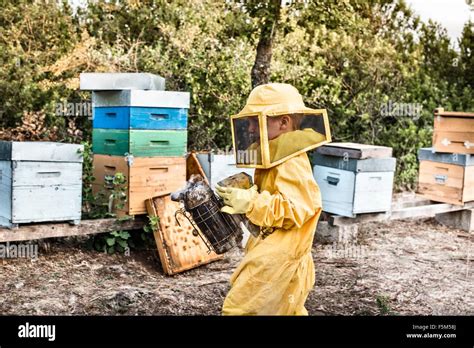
<point>121,81</point>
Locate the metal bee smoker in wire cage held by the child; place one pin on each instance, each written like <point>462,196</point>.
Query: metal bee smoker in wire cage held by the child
<point>202,209</point>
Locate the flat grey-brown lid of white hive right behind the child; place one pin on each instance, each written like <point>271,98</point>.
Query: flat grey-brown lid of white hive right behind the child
<point>355,150</point>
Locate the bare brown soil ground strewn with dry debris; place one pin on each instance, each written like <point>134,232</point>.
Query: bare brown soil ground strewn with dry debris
<point>398,268</point>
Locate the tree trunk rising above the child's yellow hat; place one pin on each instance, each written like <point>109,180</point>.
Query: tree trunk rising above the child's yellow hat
<point>261,68</point>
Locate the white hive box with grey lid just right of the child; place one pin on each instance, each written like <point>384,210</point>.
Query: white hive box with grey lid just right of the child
<point>355,178</point>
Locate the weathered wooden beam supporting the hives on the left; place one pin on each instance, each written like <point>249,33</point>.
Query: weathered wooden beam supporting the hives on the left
<point>85,227</point>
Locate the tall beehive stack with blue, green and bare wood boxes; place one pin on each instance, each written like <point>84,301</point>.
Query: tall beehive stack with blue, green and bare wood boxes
<point>139,131</point>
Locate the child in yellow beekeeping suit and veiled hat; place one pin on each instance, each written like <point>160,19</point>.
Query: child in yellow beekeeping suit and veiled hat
<point>272,133</point>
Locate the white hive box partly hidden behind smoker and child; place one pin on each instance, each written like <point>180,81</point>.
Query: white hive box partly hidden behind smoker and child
<point>218,167</point>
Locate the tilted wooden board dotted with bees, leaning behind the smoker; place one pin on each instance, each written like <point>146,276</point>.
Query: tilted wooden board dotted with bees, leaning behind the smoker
<point>179,249</point>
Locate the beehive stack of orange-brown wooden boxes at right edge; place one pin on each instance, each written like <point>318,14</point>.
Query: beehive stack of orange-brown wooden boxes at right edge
<point>447,169</point>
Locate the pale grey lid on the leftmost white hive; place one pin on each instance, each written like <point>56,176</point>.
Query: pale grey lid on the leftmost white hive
<point>40,151</point>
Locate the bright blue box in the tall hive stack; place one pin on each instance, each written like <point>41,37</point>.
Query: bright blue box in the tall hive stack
<point>124,117</point>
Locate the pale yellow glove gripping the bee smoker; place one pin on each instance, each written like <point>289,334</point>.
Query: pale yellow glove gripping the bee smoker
<point>236,200</point>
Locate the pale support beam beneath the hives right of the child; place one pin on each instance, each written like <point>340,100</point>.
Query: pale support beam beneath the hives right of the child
<point>416,209</point>
